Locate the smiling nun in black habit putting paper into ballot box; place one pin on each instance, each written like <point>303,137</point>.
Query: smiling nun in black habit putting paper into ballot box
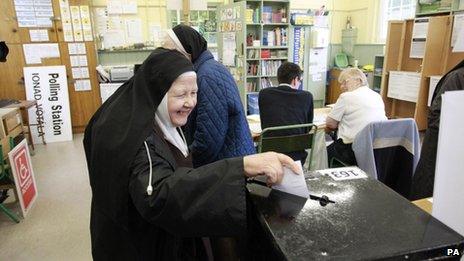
<point>147,201</point>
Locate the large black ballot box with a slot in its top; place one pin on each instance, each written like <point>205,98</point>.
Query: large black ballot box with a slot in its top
<point>367,221</point>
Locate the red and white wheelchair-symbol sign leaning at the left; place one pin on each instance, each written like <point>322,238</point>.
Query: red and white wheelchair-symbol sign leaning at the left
<point>23,174</point>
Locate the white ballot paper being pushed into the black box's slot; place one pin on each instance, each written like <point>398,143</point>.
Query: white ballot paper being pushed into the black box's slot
<point>293,183</point>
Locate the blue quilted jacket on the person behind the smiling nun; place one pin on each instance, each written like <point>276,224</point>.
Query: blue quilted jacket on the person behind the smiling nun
<point>217,128</point>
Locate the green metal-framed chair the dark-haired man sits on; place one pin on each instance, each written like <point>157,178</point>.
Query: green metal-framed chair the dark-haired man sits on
<point>289,143</point>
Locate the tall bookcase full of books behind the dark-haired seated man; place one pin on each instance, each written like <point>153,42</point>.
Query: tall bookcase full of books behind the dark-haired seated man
<point>264,39</point>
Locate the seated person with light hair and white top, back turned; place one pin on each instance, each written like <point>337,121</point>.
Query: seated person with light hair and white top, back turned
<point>354,109</point>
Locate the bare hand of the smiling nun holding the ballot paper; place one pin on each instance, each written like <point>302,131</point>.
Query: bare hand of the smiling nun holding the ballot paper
<point>270,164</point>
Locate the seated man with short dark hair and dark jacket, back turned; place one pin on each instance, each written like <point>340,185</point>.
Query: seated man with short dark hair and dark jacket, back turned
<point>286,105</point>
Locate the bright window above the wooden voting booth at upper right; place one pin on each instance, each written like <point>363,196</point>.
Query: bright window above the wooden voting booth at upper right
<point>394,10</point>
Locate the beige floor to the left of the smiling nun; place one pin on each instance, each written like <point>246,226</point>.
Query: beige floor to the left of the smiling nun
<point>57,228</point>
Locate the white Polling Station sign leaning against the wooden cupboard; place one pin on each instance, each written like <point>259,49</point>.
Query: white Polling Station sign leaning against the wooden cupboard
<point>49,87</point>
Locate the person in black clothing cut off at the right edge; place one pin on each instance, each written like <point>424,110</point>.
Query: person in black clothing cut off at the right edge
<point>424,177</point>
